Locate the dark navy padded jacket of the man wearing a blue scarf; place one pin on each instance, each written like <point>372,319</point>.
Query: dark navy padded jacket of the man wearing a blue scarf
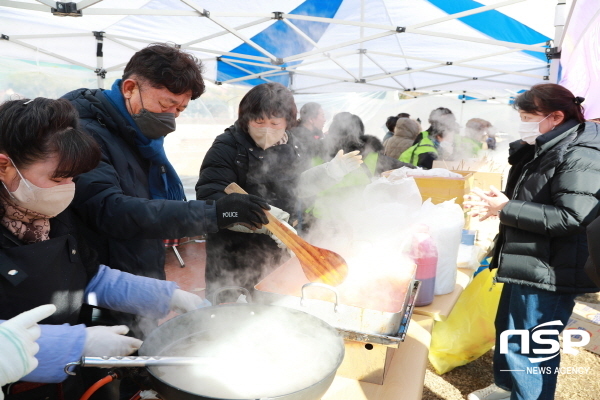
<point>120,221</point>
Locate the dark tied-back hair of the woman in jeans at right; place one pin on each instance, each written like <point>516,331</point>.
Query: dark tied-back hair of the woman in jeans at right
<point>546,98</point>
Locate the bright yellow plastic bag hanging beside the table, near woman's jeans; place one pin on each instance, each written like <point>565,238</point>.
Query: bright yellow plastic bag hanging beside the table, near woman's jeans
<point>469,331</point>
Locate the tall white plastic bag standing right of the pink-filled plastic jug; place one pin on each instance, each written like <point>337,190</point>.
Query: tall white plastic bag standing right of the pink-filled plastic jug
<point>446,221</point>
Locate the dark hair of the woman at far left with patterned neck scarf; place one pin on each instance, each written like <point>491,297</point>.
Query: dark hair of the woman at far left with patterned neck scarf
<point>32,130</point>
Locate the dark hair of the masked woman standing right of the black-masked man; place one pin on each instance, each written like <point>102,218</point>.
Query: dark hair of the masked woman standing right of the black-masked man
<point>265,101</point>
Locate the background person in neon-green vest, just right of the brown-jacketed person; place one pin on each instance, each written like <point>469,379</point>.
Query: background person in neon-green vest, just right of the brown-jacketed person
<point>436,142</point>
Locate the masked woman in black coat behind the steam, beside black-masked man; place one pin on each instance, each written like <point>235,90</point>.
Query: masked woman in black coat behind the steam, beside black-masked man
<point>258,154</point>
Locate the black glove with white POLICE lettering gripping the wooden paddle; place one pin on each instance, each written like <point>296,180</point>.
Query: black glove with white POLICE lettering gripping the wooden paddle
<point>245,209</point>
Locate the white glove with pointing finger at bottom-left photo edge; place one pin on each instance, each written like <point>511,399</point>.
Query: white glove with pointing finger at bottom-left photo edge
<point>17,343</point>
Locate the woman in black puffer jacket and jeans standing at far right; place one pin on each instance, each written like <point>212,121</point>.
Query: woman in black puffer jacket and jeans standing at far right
<point>551,196</point>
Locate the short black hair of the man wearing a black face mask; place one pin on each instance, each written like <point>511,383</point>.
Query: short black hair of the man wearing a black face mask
<point>165,65</point>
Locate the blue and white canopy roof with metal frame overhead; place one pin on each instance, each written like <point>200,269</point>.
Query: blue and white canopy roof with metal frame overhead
<point>311,46</point>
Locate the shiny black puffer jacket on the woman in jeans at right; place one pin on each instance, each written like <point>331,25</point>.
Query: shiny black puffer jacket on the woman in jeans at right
<point>542,242</point>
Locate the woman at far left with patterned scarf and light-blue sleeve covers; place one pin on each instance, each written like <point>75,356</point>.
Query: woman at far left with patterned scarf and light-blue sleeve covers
<point>43,260</point>
